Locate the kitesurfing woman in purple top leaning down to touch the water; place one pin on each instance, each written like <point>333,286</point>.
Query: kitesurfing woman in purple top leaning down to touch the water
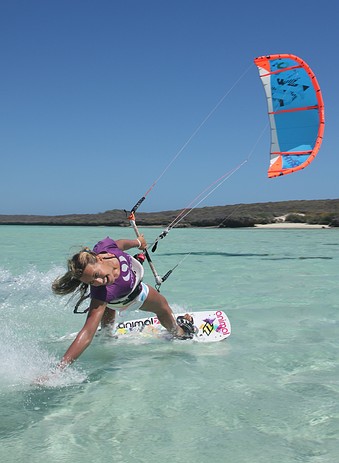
<point>114,279</point>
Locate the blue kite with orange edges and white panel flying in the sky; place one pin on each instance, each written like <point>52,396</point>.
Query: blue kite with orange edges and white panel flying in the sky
<point>296,112</point>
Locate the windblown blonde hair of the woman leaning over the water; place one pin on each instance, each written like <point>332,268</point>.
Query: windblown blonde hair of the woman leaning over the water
<point>70,281</point>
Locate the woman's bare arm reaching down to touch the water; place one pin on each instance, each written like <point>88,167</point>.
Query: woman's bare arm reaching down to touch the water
<point>86,334</point>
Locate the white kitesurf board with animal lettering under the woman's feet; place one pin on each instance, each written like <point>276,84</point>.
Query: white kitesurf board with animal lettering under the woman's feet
<point>210,326</point>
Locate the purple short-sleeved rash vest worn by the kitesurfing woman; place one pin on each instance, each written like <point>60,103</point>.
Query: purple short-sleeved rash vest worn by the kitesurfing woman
<point>123,285</point>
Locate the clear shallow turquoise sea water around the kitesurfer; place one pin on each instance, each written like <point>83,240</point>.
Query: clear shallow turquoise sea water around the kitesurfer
<point>269,393</point>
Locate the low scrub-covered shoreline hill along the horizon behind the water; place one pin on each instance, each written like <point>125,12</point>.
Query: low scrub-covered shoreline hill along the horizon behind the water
<point>325,212</point>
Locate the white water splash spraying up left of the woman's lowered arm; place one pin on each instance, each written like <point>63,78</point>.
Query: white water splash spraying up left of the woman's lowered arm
<point>25,300</point>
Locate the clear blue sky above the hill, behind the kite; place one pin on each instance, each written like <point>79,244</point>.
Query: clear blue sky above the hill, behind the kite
<point>98,98</point>
